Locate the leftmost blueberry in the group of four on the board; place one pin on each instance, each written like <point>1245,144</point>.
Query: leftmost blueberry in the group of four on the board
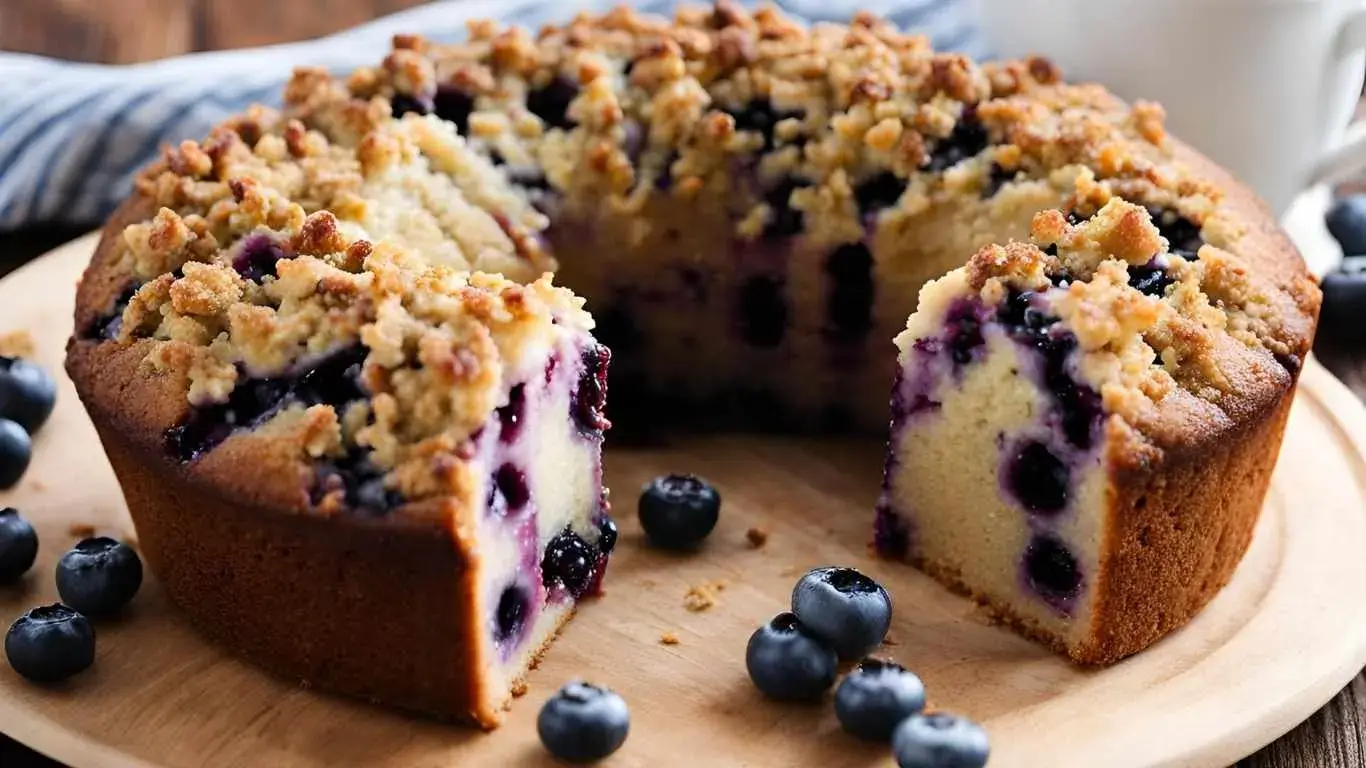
<point>787,662</point>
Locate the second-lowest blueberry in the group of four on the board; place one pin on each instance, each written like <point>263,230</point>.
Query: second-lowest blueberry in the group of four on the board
<point>875,699</point>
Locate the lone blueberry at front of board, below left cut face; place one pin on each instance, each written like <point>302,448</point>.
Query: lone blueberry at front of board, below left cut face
<point>584,724</point>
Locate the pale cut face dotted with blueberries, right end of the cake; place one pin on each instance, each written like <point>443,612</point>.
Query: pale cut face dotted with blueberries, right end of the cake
<point>996,480</point>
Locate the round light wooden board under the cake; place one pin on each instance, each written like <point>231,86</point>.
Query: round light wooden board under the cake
<point>1274,647</point>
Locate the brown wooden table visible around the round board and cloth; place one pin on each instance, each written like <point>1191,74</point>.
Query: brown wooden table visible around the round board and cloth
<point>135,31</point>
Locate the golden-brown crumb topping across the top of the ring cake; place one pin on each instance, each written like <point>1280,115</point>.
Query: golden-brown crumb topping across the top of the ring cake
<point>374,210</point>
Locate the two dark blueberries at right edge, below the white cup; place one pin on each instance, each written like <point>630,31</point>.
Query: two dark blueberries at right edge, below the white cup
<point>1343,315</point>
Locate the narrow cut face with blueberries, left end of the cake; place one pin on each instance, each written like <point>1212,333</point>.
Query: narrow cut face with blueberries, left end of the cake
<point>542,542</point>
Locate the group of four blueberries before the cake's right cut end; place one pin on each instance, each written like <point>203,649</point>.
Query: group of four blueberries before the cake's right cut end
<point>841,616</point>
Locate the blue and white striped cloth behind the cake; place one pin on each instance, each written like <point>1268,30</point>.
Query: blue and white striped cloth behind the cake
<point>74,136</point>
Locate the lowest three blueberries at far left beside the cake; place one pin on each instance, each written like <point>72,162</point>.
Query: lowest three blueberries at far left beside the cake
<point>95,580</point>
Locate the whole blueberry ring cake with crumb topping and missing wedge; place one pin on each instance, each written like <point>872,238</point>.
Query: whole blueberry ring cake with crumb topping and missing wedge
<point>352,413</point>
